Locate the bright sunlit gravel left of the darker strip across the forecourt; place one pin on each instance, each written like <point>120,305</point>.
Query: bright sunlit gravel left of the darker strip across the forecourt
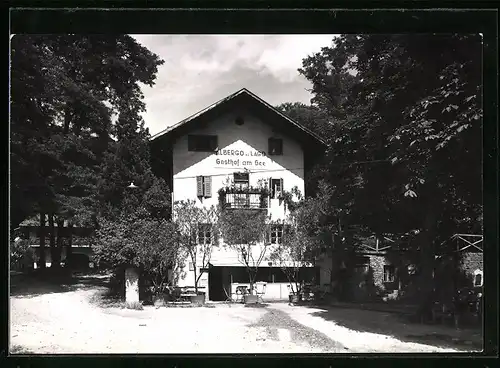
<point>67,323</point>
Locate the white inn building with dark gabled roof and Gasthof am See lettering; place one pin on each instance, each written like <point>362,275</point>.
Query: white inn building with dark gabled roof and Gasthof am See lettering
<point>242,139</point>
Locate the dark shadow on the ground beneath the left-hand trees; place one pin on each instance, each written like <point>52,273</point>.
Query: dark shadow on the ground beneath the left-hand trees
<point>27,285</point>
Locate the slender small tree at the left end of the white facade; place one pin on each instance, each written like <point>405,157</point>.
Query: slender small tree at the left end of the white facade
<point>197,230</point>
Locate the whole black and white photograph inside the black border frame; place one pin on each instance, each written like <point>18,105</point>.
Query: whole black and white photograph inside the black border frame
<point>246,193</point>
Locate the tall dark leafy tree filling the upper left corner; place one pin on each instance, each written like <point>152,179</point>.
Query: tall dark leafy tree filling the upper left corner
<point>64,91</point>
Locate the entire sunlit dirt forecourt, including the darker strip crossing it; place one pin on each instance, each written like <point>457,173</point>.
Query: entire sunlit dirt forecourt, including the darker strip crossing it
<point>66,321</point>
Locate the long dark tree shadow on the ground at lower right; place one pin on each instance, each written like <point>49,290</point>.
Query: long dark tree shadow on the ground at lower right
<point>399,326</point>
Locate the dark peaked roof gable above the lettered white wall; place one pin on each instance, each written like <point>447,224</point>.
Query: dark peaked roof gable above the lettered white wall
<point>259,107</point>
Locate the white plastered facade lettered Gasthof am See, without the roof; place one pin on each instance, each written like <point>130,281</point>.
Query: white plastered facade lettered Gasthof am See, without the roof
<point>242,145</point>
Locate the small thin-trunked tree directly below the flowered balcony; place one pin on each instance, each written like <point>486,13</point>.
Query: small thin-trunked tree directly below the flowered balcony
<point>243,231</point>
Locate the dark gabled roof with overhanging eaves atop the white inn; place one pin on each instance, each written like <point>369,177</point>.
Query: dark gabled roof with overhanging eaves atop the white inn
<point>243,95</point>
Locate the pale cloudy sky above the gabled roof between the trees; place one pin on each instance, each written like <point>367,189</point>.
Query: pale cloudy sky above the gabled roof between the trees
<point>202,69</point>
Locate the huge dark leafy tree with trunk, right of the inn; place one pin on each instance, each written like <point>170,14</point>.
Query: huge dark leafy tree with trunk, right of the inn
<point>412,114</point>
